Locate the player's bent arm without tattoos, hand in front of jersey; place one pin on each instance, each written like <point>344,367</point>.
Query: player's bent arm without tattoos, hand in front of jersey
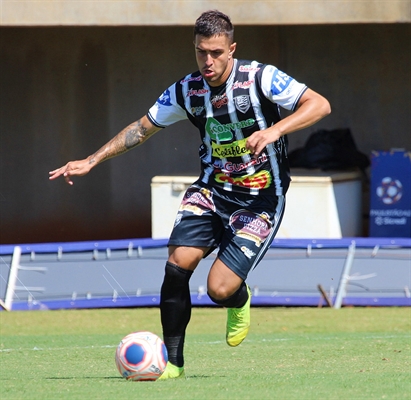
<point>311,108</point>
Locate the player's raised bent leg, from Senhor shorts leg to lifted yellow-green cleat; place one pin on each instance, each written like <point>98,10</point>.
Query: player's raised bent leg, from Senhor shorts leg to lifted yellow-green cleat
<point>250,227</point>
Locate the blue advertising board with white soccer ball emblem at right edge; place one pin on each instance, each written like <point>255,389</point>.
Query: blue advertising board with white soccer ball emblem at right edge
<point>390,203</point>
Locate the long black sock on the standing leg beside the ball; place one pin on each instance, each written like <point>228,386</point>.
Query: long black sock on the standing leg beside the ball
<point>175,308</point>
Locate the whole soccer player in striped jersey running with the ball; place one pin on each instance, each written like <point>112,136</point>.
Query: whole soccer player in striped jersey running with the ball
<point>238,201</point>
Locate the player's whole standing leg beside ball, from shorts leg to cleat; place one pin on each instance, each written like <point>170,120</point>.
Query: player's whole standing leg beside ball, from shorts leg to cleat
<point>196,230</point>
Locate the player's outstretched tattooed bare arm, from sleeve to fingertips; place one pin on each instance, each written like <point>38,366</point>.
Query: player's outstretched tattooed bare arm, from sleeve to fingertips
<point>131,136</point>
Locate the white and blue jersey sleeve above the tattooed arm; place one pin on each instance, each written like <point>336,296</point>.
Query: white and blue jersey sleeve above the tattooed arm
<point>166,110</point>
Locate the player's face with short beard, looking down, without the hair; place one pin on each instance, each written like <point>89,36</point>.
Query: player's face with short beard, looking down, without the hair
<point>214,57</point>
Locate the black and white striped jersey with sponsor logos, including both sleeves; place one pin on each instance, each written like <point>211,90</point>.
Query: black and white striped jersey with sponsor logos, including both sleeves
<point>226,116</point>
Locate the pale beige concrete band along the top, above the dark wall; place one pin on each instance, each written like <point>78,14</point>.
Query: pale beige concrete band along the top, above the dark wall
<point>168,12</point>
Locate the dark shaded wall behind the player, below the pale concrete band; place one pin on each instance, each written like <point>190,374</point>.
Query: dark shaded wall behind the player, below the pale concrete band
<point>65,91</point>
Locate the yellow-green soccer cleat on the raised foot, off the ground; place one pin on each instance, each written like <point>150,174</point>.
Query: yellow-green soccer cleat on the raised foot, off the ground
<point>238,322</point>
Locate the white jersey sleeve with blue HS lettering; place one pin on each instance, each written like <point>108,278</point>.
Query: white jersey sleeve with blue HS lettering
<point>281,88</point>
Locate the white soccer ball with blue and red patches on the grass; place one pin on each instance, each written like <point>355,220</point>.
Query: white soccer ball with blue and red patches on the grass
<point>141,356</point>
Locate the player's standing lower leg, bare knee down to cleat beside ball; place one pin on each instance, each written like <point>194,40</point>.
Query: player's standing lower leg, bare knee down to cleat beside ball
<point>175,304</point>
